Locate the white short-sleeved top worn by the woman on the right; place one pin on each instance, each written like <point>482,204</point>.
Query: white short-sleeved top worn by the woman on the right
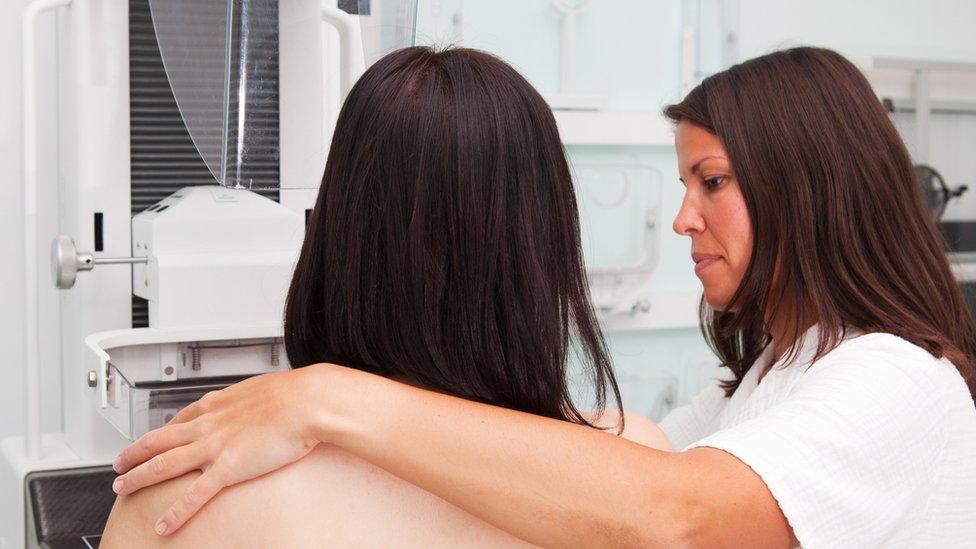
<point>873,445</point>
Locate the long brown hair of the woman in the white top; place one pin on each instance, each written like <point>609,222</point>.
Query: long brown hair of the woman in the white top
<point>835,209</point>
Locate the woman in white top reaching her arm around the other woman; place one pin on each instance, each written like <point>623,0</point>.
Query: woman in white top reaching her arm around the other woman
<point>843,416</point>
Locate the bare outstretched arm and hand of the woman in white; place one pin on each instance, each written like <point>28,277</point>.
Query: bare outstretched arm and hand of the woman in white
<point>549,482</point>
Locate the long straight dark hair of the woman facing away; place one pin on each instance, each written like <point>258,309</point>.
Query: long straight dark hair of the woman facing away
<point>444,246</point>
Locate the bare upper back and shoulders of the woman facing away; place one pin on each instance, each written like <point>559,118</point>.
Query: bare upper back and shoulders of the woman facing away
<point>328,498</point>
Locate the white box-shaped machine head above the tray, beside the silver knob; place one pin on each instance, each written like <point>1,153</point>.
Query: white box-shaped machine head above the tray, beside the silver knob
<point>216,257</point>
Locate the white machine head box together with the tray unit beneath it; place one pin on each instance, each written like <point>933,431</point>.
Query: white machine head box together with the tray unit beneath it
<point>218,266</point>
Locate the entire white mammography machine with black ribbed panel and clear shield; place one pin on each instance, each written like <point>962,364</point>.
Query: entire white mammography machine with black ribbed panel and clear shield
<point>157,102</point>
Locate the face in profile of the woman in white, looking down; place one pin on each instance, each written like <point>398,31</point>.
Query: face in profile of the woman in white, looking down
<point>713,213</point>
